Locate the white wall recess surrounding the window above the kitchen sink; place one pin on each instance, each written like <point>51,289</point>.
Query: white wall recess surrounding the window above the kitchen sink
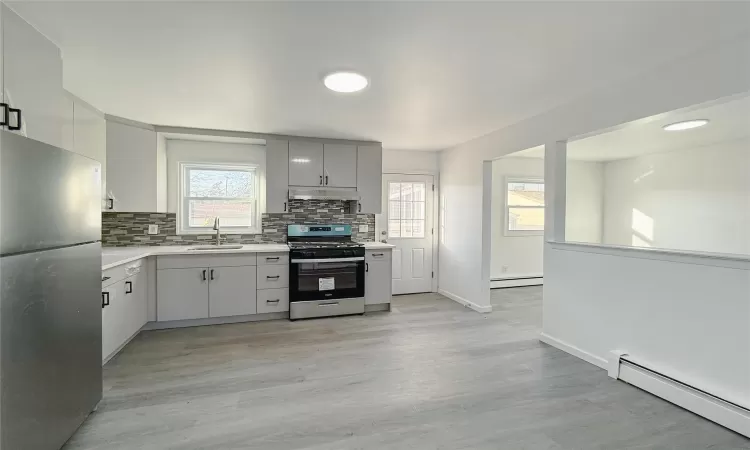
<point>211,152</point>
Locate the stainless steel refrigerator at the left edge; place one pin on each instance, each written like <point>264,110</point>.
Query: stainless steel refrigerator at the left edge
<point>50,293</point>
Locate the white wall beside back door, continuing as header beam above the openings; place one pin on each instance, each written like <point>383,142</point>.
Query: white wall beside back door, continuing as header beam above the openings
<point>716,72</point>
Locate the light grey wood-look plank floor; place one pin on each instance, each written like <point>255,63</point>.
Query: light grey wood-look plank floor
<point>429,375</point>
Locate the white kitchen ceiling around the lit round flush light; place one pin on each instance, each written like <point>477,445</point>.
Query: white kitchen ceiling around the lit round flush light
<point>441,72</point>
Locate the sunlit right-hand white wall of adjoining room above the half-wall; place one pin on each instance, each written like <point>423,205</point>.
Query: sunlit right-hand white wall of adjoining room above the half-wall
<point>692,199</point>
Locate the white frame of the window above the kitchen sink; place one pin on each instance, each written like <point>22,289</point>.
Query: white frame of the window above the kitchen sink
<point>182,201</point>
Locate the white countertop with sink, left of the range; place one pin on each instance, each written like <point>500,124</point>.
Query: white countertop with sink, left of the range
<point>116,256</point>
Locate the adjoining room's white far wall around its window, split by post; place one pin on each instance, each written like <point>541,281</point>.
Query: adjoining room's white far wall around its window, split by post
<point>522,255</point>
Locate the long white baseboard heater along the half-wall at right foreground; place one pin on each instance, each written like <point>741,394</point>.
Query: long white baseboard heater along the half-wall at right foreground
<point>727,413</point>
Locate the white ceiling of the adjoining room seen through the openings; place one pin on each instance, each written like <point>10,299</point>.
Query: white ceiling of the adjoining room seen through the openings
<point>729,121</point>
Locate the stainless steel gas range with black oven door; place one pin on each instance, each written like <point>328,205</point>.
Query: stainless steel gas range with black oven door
<point>326,271</point>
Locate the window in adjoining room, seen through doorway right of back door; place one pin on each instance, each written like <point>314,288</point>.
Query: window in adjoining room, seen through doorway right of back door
<point>524,207</point>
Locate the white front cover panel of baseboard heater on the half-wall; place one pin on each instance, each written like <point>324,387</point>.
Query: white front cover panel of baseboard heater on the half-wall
<point>695,401</point>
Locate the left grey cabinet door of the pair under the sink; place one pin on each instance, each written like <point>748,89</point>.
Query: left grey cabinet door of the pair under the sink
<point>181,294</point>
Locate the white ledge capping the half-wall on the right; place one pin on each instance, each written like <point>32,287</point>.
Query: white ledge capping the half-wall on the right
<point>685,257</point>
